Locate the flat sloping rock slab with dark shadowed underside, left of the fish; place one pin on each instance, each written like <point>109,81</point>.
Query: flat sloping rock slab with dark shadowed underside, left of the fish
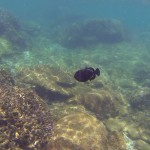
<point>50,83</point>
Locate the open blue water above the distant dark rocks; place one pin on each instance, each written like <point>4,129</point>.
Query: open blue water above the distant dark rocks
<point>134,12</point>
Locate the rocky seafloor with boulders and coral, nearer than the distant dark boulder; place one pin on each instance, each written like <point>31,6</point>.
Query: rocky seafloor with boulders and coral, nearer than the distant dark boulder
<point>43,107</point>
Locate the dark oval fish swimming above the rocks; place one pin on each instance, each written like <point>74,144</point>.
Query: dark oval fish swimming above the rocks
<point>86,74</point>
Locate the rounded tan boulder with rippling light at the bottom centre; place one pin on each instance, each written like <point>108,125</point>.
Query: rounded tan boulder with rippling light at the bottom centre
<point>84,132</point>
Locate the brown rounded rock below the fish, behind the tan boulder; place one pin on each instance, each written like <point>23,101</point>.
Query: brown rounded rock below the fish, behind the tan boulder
<point>103,104</point>
